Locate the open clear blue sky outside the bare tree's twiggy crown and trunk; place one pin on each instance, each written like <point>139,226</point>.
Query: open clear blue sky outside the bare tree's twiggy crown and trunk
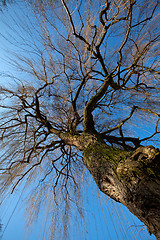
<point>105,219</point>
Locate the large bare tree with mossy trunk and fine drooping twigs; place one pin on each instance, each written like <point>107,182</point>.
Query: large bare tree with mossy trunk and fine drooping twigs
<point>91,76</point>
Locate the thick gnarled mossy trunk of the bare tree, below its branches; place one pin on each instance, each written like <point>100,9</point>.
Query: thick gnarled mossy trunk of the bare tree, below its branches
<point>130,178</point>
